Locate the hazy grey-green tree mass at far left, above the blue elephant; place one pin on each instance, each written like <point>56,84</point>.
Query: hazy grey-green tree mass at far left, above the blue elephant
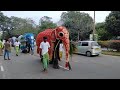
<point>16,26</point>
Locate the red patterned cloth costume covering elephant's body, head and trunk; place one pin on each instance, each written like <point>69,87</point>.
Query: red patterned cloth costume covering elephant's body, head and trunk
<point>59,33</point>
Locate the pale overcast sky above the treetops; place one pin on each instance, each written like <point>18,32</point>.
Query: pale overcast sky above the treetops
<point>36,15</point>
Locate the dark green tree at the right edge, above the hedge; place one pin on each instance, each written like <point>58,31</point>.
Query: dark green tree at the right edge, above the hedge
<point>112,23</point>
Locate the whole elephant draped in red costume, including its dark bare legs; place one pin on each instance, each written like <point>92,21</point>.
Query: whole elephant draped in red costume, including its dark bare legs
<point>55,36</point>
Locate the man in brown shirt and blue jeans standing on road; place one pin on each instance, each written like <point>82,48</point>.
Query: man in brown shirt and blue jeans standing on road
<point>7,49</point>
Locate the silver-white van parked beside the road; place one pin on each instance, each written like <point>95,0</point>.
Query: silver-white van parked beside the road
<point>88,48</point>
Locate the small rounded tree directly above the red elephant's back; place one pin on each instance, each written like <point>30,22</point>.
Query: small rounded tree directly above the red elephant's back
<point>45,23</point>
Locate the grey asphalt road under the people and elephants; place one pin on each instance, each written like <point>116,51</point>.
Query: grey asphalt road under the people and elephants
<point>27,66</point>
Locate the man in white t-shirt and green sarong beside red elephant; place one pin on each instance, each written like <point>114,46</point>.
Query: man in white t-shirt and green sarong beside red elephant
<point>44,47</point>
